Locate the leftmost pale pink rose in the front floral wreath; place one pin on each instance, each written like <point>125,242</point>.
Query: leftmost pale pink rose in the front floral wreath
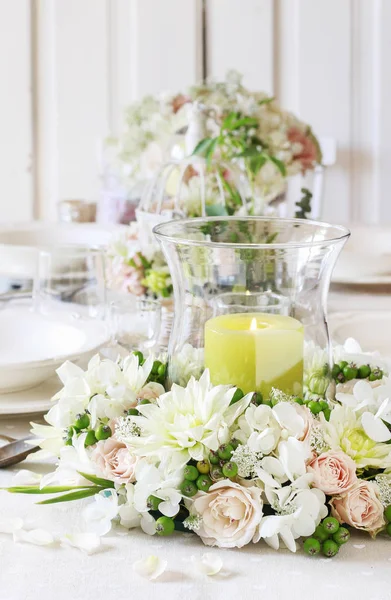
<point>114,461</point>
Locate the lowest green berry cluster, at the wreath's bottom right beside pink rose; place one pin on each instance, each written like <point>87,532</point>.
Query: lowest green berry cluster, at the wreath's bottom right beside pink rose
<point>328,537</point>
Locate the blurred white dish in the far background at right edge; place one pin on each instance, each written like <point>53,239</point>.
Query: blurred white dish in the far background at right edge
<point>366,258</point>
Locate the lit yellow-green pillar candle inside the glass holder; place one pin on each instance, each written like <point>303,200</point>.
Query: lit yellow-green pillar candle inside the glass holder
<point>255,352</point>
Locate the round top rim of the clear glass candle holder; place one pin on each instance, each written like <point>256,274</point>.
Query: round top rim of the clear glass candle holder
<point>164,236</point>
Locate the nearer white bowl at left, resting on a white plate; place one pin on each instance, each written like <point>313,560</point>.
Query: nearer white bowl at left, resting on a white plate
<point>33,346</point>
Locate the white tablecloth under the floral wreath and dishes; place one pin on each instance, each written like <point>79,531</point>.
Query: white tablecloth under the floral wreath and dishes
<point>27,572</point>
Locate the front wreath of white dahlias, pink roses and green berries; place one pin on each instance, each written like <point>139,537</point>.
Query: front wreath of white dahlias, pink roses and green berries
<point>233,469</point>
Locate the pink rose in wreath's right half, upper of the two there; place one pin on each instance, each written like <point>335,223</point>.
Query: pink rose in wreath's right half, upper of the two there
<point>334,472</point>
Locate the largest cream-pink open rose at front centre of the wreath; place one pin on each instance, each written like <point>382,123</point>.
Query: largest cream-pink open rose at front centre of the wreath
<point>230,514</point>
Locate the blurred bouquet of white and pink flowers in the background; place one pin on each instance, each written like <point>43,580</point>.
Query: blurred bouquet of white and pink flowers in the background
<point>240,128</point>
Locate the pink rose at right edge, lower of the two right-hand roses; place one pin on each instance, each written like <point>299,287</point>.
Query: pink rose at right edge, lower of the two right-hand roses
<point>360,507</point>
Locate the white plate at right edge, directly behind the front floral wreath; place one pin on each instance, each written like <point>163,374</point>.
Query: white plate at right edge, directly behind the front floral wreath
<point>370,328</point>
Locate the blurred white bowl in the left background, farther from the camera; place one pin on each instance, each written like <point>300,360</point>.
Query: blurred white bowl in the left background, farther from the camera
<point>19,244</point>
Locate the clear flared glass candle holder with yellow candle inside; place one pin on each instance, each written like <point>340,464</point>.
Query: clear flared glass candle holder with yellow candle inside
<point>250,299</point>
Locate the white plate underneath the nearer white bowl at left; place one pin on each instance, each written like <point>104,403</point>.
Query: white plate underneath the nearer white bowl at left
<point>34,401</point>
